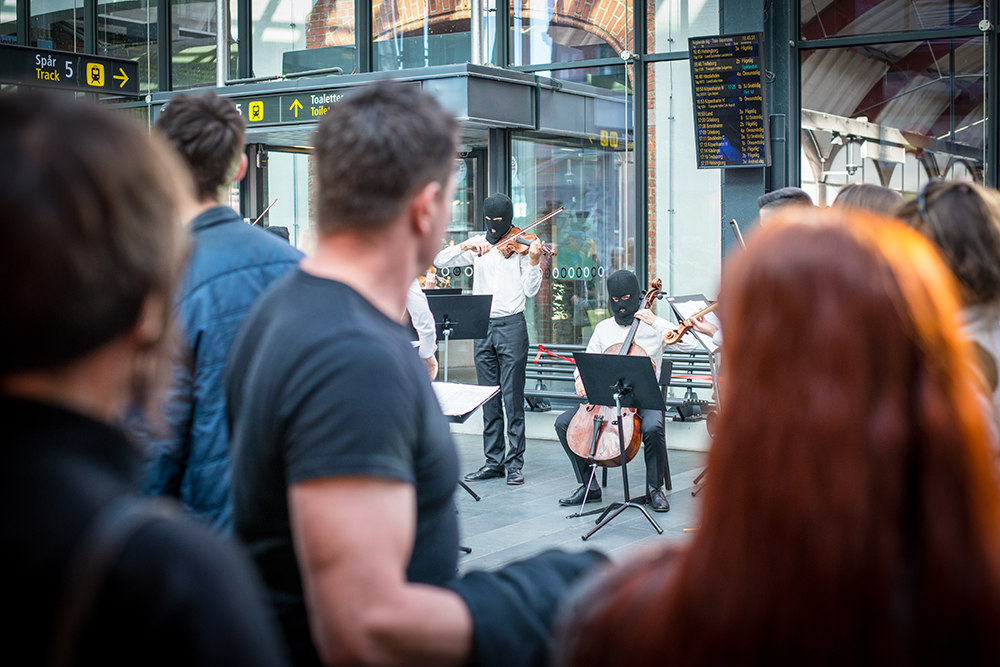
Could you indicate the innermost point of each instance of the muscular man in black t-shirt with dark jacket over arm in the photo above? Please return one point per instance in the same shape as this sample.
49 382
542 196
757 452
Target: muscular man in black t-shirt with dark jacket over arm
344 469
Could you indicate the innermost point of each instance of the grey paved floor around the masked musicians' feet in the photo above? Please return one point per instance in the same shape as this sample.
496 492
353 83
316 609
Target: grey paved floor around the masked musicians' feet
514 522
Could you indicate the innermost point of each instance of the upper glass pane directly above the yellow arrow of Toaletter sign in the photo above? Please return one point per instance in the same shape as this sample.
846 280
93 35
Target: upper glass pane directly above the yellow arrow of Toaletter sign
302 35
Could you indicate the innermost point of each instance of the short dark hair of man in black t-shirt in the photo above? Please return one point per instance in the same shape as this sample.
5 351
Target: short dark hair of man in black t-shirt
376 148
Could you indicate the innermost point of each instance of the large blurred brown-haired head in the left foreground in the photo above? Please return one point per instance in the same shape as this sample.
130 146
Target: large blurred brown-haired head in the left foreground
91 228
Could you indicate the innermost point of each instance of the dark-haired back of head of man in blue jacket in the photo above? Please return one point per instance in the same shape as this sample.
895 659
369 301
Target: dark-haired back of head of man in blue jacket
207 131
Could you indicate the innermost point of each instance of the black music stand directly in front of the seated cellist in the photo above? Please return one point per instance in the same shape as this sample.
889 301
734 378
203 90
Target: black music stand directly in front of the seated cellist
623 382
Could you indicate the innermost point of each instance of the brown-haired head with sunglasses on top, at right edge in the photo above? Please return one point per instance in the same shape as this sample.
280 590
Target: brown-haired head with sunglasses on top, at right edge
963 219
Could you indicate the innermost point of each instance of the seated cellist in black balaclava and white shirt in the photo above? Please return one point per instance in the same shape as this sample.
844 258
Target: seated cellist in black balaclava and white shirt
623 303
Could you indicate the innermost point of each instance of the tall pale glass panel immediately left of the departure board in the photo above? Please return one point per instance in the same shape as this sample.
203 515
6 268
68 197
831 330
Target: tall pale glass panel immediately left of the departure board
683 202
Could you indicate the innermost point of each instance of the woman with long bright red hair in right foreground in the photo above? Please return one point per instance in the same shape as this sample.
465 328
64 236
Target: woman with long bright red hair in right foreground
853 513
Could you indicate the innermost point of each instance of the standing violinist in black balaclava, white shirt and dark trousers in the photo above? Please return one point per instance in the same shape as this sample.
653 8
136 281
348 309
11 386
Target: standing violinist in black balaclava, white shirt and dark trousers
501 357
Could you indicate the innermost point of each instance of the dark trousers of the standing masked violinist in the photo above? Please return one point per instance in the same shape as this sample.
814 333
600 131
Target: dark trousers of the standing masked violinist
501 358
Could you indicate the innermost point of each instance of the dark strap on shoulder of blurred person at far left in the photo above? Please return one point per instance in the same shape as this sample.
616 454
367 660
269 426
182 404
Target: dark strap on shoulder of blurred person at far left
93 557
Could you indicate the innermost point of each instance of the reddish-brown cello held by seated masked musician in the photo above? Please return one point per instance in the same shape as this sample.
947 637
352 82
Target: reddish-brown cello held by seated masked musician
593 431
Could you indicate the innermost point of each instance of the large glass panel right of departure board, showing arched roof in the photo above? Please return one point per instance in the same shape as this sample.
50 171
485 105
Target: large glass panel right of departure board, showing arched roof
865 108
